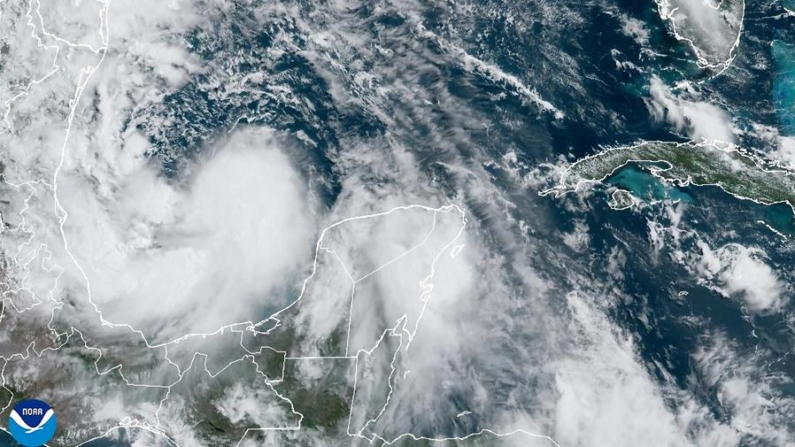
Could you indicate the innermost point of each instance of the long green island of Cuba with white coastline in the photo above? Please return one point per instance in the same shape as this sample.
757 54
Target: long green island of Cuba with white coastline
700 164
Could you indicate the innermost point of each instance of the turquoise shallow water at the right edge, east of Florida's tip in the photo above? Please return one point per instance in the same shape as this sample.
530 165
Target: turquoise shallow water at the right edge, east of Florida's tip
784 84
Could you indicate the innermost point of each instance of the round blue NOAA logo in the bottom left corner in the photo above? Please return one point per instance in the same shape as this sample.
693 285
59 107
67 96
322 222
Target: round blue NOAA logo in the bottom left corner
32 423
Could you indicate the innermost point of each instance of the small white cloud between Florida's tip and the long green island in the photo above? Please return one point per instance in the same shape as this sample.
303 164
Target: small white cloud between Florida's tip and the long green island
698 120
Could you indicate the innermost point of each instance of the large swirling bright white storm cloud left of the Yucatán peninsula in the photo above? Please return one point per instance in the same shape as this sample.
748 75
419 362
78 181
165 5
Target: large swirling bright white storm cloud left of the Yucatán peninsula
192 257
